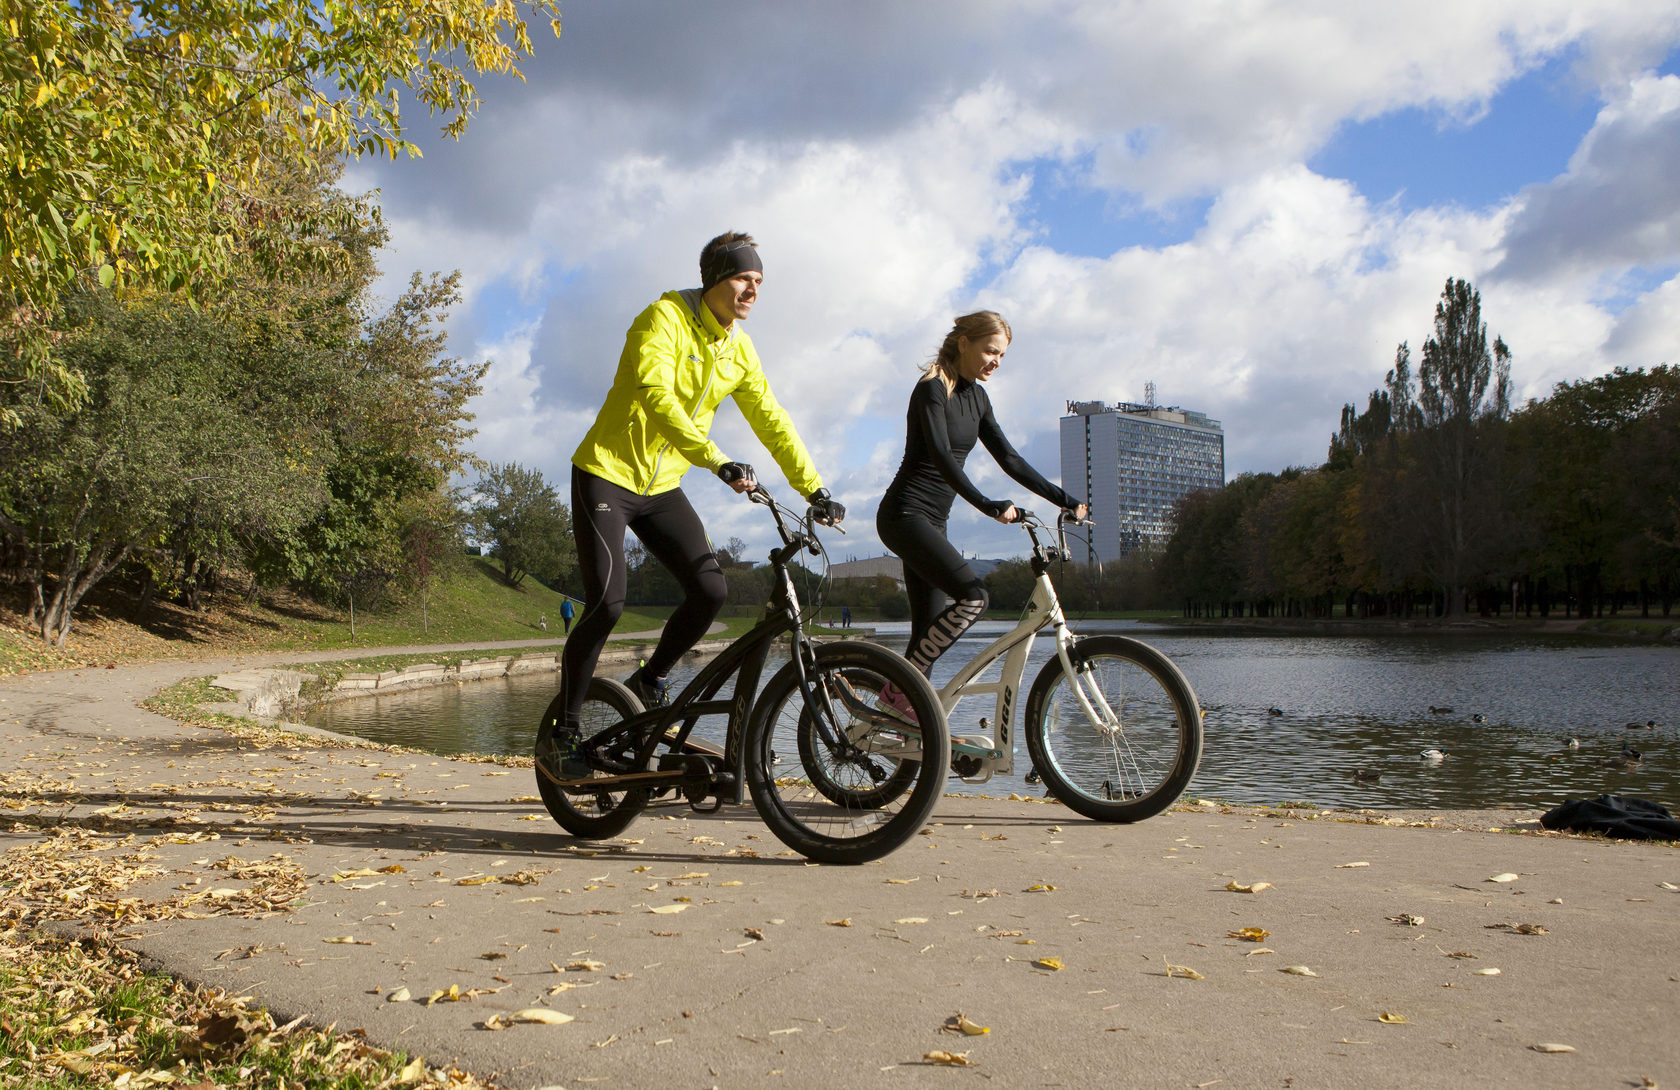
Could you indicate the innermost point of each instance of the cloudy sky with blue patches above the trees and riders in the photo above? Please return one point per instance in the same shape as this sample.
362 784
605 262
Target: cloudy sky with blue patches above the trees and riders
1249 204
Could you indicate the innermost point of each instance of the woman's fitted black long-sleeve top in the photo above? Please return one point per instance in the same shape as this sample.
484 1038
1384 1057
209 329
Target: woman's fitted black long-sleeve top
940 434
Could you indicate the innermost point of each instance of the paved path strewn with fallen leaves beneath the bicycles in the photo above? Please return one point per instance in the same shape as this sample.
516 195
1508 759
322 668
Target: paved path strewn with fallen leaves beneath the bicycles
433 874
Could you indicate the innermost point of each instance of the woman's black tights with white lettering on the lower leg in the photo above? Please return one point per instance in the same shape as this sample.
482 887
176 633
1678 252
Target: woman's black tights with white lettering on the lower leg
933 570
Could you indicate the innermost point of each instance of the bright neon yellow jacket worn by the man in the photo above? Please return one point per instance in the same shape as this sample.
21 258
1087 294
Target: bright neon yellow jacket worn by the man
678 365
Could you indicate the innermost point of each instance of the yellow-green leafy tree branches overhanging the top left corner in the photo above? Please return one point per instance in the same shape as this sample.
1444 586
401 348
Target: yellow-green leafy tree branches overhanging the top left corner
135 135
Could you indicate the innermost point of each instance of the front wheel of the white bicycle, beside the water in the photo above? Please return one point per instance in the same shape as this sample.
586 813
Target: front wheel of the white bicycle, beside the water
1131 747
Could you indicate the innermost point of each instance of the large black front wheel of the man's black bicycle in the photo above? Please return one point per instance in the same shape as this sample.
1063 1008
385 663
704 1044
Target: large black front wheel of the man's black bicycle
868 778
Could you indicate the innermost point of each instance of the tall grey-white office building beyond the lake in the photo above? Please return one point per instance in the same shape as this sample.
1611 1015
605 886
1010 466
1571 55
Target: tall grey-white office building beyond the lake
1135 461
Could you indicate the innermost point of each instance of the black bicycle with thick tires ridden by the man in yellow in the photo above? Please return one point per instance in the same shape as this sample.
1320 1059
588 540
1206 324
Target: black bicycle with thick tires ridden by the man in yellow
821 711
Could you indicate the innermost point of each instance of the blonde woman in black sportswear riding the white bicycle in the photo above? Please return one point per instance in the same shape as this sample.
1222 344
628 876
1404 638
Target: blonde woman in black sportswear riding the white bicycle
948 414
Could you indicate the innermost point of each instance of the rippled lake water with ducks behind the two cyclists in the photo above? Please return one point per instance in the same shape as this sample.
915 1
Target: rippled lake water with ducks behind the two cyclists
1348 705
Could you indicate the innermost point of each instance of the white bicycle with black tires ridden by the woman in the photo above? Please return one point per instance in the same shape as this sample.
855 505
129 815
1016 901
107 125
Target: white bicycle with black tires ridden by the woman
1113 726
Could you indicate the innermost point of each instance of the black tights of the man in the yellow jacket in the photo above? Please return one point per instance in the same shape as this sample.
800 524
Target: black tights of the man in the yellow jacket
673 533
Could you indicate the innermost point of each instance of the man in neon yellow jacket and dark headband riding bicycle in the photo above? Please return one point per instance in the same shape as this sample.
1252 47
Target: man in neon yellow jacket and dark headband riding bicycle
683 357
